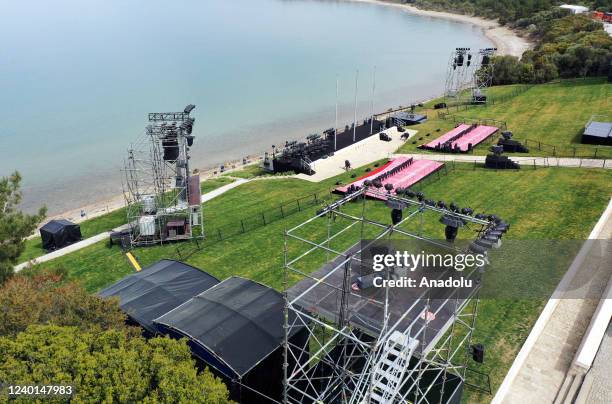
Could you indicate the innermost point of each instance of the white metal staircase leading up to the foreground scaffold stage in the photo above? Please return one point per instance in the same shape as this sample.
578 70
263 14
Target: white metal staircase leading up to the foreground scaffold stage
391 368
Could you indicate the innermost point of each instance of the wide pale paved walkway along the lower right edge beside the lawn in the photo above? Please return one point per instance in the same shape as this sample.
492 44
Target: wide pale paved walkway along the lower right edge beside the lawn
539 371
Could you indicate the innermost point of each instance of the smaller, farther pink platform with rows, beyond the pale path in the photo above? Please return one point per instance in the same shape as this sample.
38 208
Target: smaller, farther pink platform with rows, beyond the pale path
460 138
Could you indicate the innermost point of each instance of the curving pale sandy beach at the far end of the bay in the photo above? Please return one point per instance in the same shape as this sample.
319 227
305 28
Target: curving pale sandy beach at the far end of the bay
506 41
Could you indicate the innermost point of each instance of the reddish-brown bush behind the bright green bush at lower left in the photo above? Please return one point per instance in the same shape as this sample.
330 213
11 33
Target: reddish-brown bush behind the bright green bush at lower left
45 299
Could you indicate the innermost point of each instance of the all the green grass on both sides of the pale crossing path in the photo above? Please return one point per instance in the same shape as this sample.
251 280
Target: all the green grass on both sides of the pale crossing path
540 204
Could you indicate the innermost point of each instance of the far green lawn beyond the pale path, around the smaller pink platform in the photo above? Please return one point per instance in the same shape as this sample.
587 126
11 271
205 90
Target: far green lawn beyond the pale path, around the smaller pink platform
553 114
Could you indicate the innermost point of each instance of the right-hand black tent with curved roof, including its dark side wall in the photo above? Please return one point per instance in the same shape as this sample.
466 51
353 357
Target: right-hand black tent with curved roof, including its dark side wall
236 327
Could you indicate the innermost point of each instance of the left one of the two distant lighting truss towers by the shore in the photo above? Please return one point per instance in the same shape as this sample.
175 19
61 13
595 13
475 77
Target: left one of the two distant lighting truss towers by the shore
459 77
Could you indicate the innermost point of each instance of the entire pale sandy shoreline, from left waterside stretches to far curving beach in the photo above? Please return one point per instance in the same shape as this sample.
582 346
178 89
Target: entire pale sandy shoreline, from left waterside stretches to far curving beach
506 41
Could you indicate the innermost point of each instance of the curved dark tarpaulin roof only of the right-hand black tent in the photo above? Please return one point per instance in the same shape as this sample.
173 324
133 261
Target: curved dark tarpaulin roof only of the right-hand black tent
239 321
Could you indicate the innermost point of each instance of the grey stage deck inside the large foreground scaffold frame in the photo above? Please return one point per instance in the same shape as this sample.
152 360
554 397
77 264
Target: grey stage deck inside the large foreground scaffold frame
365 308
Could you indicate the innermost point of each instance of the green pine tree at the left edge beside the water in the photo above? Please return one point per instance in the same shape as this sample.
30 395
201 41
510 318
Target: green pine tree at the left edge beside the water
15 225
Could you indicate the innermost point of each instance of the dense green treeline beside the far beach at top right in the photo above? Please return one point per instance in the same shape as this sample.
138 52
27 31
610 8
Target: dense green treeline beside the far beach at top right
566 45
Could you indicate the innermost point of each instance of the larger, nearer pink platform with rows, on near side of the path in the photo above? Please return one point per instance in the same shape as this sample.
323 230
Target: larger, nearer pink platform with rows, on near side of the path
400 172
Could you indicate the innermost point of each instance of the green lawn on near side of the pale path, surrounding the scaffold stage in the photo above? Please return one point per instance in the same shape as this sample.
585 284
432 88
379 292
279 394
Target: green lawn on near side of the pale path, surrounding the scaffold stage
549 203
